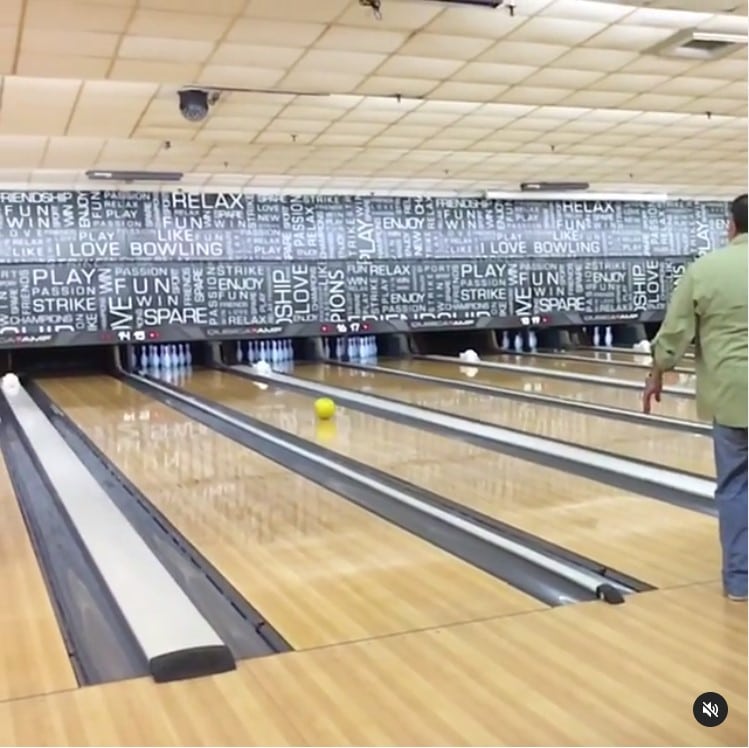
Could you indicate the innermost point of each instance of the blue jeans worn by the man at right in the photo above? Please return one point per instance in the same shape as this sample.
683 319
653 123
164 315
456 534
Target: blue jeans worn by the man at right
729 445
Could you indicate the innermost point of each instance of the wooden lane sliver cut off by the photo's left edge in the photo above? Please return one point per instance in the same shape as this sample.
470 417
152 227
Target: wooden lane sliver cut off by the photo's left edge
32 651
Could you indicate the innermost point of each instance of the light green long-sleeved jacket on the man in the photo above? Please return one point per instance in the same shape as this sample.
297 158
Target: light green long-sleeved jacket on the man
709 306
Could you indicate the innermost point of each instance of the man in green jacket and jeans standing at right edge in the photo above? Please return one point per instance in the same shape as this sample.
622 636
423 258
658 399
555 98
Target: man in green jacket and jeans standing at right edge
709 305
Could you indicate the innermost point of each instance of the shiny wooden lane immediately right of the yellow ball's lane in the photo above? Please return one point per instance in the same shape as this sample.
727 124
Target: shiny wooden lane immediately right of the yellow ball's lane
689 452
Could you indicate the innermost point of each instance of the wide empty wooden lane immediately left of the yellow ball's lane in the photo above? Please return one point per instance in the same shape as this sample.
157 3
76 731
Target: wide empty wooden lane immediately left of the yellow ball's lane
320 569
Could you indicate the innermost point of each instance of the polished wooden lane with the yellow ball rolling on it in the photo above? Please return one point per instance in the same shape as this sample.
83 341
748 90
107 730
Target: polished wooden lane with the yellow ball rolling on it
659 543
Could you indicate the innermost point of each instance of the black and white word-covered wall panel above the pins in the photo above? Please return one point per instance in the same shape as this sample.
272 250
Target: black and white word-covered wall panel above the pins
103 266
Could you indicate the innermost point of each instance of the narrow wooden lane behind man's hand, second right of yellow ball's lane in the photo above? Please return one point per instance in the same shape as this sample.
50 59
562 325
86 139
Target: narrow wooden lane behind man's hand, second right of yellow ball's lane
674 406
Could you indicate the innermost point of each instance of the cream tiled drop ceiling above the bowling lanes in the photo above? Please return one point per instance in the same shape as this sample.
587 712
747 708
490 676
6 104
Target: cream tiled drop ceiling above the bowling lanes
432 98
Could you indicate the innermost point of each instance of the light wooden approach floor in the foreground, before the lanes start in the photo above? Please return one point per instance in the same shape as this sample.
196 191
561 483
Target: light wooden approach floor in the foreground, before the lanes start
590 675
